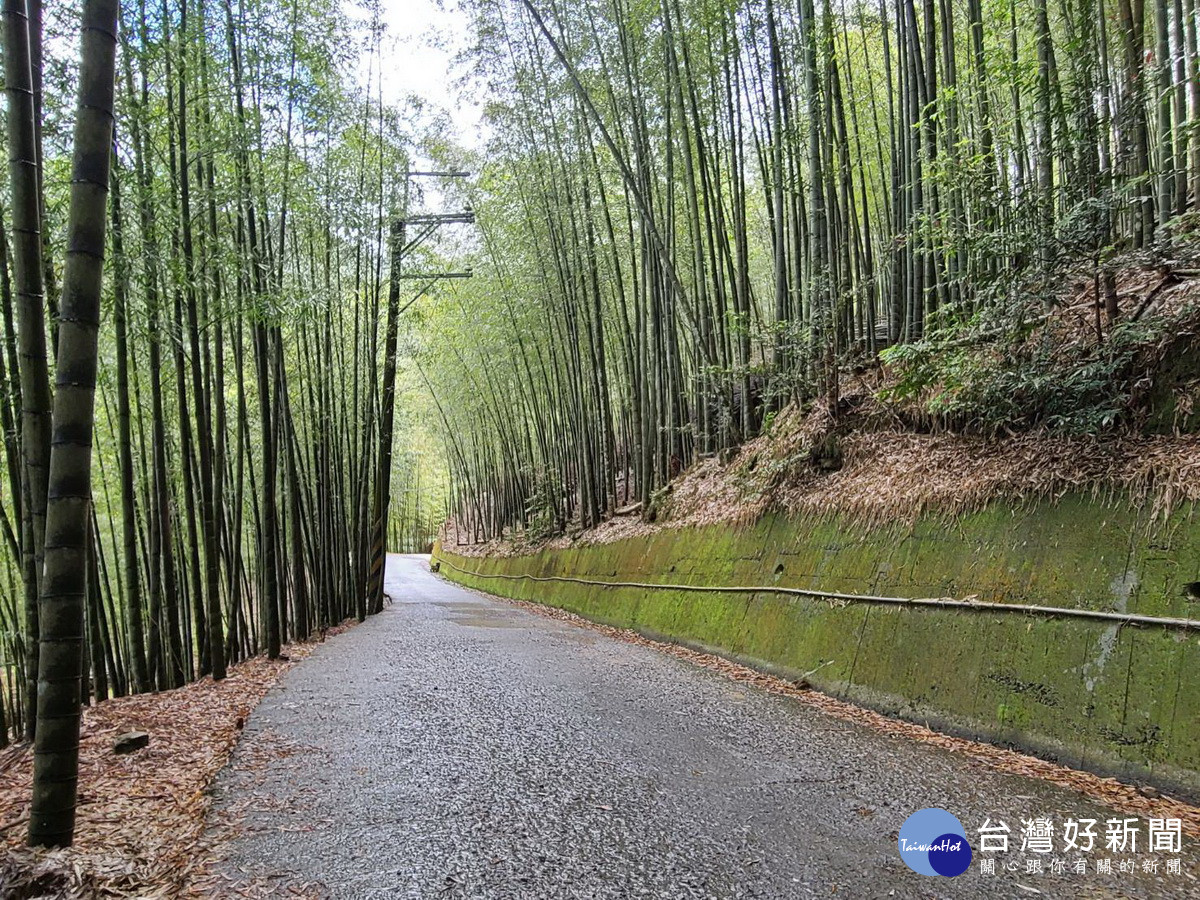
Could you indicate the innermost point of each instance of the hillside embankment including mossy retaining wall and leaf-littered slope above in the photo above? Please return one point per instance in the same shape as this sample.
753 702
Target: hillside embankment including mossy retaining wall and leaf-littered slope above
902 494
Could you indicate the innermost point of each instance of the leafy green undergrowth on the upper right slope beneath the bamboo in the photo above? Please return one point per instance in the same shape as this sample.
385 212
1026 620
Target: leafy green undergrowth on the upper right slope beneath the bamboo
1066 371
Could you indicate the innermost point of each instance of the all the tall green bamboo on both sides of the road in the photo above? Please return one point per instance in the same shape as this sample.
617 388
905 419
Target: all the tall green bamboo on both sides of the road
221 401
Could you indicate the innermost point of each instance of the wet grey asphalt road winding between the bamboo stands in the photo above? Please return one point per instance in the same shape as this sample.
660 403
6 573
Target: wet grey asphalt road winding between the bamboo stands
459 747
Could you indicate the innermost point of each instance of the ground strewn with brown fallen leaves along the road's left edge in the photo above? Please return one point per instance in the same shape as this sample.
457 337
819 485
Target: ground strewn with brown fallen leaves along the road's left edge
141 827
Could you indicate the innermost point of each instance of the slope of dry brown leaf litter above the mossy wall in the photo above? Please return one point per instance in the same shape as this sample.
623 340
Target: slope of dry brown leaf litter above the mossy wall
898 460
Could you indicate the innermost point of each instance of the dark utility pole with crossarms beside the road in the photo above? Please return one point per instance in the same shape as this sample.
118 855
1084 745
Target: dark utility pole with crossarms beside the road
425 225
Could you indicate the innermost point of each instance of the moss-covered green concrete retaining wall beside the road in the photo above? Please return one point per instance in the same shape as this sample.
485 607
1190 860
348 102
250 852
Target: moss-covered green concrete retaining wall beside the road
1113 699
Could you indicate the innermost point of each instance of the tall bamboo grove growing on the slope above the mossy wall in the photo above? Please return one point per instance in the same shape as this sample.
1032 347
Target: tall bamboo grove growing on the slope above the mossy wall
697 212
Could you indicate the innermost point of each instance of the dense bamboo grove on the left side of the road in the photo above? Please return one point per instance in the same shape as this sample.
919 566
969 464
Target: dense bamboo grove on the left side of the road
200 321
